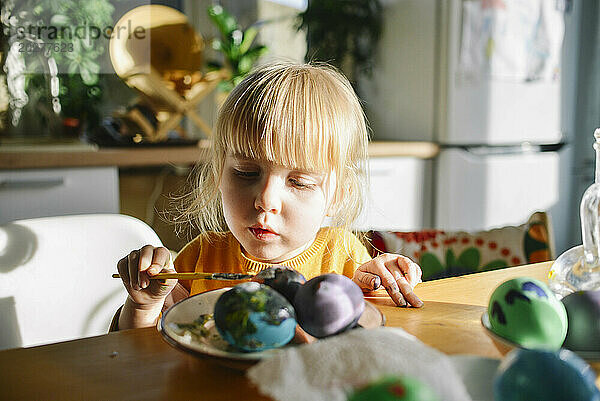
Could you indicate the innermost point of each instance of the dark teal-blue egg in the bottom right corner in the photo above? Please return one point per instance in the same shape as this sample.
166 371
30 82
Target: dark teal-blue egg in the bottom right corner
528 374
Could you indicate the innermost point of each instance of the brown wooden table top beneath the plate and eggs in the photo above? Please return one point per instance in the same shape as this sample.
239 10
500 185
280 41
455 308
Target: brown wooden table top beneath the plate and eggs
138 364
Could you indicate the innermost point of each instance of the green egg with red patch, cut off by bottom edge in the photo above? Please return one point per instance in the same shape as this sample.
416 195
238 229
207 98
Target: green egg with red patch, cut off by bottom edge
395 389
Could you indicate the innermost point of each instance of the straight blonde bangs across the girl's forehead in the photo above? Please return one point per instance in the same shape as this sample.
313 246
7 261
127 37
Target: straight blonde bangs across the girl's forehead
293 118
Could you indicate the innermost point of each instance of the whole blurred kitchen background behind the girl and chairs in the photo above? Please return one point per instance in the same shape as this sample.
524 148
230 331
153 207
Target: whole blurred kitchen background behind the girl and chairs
482 111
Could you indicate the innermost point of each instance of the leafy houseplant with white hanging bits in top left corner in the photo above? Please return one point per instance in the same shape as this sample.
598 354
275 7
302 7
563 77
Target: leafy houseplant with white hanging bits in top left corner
53 50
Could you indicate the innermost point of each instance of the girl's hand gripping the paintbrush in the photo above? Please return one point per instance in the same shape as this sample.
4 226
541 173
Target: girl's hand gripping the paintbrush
136 269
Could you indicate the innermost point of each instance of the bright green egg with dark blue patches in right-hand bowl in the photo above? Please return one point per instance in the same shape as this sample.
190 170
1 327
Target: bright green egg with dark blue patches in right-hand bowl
525 311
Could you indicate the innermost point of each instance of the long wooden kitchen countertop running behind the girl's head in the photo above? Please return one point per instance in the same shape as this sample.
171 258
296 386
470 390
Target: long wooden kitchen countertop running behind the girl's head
81 155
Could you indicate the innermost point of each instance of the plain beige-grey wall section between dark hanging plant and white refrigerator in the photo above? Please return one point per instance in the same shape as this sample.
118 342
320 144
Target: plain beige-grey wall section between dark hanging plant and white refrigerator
400 99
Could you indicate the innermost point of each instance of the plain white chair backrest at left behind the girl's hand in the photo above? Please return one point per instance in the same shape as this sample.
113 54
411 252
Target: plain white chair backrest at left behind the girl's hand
55 275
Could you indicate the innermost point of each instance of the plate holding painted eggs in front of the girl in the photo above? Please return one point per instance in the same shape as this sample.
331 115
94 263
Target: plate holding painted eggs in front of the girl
253 320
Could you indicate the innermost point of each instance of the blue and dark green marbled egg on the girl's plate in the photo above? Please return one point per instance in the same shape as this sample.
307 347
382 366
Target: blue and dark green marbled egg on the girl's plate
254 317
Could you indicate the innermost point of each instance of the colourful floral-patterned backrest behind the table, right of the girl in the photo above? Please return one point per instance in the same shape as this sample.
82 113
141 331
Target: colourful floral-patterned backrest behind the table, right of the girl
445 254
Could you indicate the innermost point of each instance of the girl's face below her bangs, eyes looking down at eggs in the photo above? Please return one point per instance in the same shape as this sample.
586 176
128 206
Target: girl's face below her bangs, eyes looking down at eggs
274 212
